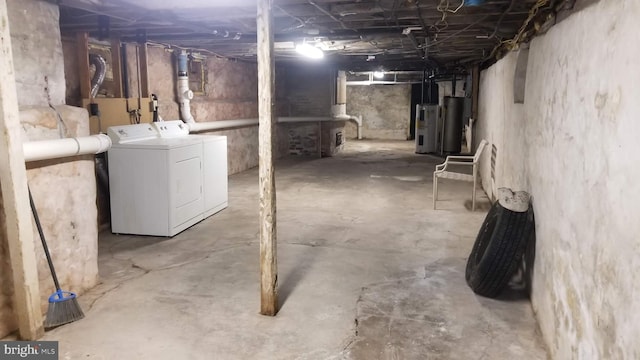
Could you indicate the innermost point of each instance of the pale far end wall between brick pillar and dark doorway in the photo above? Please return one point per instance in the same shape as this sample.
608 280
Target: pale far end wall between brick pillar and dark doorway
385 110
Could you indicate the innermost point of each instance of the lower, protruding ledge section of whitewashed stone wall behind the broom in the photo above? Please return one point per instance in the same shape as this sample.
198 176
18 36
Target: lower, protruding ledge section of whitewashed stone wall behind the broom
64 192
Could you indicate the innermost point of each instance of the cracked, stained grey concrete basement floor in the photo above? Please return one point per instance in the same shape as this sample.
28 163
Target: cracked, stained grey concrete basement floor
367 270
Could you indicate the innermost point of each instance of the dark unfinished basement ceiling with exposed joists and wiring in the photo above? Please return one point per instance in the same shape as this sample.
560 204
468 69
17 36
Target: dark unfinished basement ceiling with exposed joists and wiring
358 34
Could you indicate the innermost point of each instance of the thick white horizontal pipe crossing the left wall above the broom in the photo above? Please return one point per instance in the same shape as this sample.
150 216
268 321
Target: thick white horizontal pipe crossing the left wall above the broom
59 148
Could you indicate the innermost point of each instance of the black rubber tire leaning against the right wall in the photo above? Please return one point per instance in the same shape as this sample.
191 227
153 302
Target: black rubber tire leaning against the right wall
498 250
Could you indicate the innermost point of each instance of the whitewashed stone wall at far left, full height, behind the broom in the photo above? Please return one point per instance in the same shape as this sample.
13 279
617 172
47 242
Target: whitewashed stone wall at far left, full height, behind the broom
64 190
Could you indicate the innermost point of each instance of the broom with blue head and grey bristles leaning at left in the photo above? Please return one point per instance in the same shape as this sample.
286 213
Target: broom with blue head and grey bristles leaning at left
63 305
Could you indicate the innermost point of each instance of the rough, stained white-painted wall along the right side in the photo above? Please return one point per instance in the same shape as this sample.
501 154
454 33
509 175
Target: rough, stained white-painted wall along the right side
575 143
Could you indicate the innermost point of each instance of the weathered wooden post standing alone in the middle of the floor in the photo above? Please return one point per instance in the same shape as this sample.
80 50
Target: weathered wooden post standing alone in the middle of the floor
266 99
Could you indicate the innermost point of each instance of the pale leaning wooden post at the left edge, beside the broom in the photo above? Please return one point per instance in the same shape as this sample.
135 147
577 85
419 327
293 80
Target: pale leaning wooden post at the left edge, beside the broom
13 181
